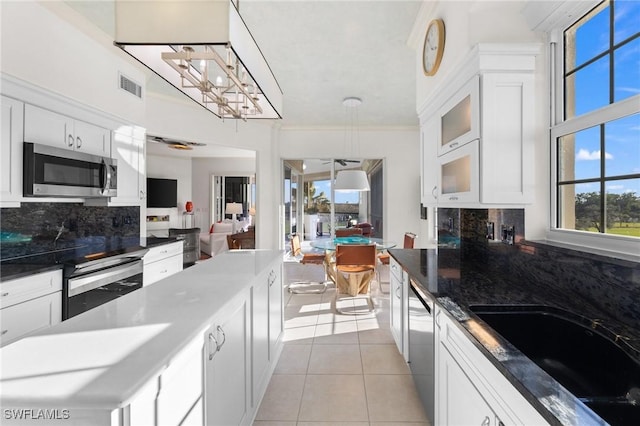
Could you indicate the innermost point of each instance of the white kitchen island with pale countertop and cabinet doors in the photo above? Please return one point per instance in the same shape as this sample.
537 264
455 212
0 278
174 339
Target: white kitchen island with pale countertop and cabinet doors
159 354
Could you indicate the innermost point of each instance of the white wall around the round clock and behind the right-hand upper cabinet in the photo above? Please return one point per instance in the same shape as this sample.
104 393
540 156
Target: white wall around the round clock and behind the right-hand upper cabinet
468 23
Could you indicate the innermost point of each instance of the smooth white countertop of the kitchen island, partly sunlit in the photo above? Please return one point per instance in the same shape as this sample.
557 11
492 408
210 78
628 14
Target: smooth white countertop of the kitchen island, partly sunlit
101 358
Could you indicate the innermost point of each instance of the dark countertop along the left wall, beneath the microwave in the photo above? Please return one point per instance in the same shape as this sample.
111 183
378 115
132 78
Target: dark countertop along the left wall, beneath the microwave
34 259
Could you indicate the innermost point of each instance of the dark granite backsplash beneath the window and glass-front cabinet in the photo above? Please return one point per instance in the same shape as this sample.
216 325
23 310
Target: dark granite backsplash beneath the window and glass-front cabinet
594 283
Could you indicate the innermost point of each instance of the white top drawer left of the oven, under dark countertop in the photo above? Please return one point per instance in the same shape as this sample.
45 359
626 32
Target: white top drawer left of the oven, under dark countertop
22 289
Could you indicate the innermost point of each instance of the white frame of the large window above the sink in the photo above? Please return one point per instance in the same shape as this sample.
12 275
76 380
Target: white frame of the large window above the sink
601 243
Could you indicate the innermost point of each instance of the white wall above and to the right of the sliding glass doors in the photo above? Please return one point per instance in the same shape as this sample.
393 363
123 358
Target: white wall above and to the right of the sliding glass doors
400 150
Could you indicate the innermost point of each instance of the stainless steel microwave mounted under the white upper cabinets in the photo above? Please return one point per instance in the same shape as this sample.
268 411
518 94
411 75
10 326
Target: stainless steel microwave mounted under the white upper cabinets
54 172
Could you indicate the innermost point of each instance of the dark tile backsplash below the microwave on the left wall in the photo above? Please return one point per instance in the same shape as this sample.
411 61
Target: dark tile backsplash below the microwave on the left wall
33 227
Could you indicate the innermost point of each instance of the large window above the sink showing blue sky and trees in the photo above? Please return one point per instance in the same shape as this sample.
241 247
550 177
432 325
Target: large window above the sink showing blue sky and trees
596 141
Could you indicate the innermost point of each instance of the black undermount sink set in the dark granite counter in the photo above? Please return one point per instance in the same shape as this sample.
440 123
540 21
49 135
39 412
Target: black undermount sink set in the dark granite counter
591 366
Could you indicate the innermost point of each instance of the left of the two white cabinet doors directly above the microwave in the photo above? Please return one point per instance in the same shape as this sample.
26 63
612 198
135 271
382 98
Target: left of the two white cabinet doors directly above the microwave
48 128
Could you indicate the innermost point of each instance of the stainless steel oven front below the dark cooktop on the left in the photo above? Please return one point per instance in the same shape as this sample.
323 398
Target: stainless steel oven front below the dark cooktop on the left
89 285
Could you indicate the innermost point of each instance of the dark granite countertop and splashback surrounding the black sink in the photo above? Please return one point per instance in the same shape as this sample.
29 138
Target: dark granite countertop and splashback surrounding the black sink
457 284
